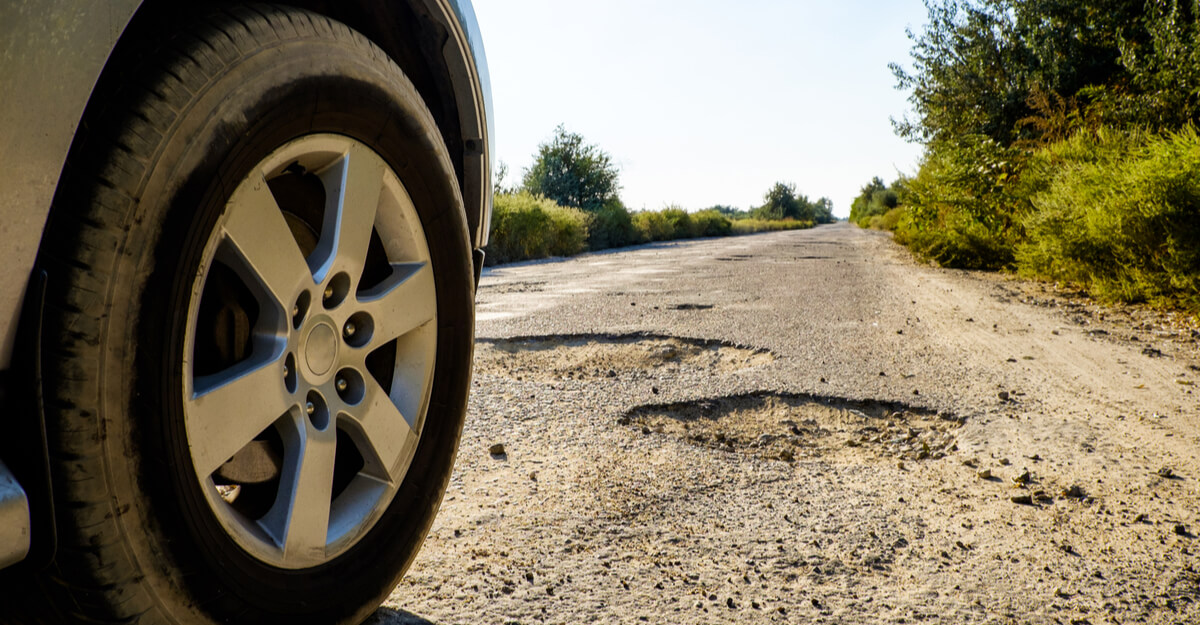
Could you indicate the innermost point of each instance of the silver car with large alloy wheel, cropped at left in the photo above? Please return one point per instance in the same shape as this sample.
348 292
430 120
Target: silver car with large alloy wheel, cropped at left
237 323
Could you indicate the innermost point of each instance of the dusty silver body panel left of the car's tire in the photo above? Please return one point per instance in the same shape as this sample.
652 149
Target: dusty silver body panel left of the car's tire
53 52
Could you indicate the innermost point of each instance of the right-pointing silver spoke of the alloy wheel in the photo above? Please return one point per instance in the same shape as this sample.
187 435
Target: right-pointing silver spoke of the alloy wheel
404 303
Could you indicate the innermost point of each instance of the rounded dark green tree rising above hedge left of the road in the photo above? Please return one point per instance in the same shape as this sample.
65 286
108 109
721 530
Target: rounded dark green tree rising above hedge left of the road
573 173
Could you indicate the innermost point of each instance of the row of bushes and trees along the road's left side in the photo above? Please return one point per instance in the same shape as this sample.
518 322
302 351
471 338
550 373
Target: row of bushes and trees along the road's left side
568 203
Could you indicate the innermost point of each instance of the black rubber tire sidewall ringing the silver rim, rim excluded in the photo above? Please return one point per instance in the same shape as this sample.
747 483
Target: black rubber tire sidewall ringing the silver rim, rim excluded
260 104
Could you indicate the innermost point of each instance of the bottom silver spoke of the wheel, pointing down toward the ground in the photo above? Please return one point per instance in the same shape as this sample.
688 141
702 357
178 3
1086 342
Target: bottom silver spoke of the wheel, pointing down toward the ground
307 491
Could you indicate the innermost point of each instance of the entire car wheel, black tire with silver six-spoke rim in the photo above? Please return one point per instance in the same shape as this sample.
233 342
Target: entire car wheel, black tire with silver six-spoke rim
259 329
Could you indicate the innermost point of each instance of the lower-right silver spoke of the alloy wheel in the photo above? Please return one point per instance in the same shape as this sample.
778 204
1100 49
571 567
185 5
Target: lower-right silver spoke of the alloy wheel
382 434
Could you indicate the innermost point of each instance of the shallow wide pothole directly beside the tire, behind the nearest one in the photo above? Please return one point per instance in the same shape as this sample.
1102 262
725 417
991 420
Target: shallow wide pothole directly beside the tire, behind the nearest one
587 357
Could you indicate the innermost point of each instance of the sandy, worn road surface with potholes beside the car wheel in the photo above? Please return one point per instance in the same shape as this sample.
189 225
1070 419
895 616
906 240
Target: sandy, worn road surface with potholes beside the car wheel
812 428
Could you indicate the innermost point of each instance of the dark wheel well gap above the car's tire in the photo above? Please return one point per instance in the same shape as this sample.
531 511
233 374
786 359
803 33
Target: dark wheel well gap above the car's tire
404 29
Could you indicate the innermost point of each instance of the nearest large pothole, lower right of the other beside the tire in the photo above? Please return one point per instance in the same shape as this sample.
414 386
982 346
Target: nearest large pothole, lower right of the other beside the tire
795 428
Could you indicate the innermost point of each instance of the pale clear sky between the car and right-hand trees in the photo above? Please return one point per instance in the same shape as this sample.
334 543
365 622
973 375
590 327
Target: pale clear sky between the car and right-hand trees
705 103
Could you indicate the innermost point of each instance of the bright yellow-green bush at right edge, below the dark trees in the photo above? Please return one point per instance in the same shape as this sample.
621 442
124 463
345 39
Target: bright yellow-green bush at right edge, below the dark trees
1121 217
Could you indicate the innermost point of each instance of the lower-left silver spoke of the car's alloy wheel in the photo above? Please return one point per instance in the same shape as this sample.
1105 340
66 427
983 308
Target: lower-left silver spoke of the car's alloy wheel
229 410
